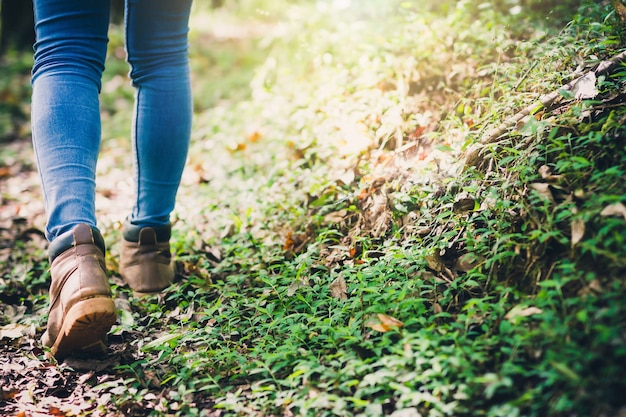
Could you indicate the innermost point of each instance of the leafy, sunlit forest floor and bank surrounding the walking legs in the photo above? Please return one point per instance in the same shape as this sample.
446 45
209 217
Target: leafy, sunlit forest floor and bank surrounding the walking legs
352 236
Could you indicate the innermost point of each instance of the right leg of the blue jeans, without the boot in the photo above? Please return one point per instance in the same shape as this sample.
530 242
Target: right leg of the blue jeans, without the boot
157 45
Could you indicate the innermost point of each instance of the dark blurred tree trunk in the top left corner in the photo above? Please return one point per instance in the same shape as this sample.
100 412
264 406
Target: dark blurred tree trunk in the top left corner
16 25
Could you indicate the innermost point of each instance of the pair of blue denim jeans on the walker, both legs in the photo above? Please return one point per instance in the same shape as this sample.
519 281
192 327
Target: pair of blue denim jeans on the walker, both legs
70 54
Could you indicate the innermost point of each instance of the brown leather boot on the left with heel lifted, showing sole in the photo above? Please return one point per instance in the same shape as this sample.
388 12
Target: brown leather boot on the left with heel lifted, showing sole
81 308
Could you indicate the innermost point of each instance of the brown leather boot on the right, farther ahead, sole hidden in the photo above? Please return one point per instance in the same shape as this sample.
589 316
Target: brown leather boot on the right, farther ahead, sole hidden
145 260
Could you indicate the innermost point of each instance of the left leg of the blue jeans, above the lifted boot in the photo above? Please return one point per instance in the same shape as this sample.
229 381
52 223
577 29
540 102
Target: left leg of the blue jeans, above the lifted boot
70 51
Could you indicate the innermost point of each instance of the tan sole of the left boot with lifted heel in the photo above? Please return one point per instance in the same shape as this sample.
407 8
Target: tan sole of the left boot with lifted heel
84 327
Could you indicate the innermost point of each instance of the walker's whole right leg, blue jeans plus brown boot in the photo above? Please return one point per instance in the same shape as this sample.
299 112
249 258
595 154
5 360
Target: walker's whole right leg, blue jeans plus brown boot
156 41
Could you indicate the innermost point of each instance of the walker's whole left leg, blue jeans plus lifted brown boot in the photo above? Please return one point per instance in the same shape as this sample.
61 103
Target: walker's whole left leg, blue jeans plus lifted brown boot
70 49
